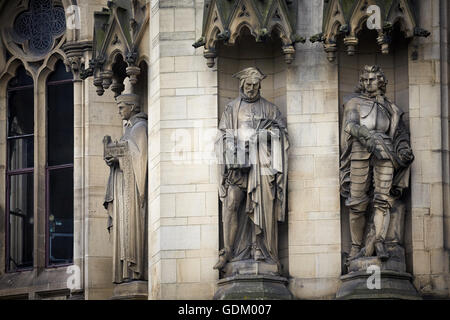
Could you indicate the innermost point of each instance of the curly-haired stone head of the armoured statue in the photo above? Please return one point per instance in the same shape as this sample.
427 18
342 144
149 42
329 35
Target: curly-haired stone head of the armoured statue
372 81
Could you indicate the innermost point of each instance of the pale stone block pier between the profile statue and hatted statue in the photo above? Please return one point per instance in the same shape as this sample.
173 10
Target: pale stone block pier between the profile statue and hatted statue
183 203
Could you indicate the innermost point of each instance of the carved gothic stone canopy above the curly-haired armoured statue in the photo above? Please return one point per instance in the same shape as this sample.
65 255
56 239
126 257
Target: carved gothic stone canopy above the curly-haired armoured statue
347 18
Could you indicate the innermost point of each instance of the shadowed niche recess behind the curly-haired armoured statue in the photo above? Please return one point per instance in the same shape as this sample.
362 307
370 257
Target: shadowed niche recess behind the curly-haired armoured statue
395 66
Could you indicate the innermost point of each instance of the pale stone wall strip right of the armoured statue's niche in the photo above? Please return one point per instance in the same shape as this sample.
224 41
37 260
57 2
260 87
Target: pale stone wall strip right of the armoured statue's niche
429 138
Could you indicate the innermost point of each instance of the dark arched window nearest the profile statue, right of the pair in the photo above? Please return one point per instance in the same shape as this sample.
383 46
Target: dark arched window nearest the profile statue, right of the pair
59 167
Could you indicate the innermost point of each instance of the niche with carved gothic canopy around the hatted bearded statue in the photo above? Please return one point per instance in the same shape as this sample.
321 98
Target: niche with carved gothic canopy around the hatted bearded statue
236 37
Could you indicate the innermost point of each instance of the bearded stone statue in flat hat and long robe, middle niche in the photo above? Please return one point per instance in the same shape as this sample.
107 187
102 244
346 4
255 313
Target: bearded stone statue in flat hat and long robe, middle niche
252 148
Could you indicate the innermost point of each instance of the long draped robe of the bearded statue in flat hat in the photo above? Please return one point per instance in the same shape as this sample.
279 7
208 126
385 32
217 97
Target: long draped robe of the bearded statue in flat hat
265 182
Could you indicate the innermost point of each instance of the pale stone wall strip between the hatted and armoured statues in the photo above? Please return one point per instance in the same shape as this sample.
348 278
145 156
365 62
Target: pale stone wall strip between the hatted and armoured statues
314 200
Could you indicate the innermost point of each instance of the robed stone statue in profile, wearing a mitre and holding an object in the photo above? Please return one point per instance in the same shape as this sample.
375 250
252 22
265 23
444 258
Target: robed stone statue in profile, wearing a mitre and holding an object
126 192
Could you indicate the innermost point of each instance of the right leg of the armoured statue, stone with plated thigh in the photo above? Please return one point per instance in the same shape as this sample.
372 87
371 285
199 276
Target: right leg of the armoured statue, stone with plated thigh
383 176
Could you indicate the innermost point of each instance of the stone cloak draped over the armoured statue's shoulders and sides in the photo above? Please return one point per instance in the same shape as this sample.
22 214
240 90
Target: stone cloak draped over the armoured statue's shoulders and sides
397 132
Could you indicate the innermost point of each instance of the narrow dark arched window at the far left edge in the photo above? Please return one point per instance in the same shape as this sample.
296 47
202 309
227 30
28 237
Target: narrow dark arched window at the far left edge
19 172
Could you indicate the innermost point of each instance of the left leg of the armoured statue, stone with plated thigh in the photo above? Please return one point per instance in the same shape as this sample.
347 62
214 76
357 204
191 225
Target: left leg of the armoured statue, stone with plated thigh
360 183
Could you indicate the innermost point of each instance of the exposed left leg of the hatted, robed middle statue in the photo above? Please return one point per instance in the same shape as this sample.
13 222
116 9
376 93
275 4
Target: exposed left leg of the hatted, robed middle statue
231 206
